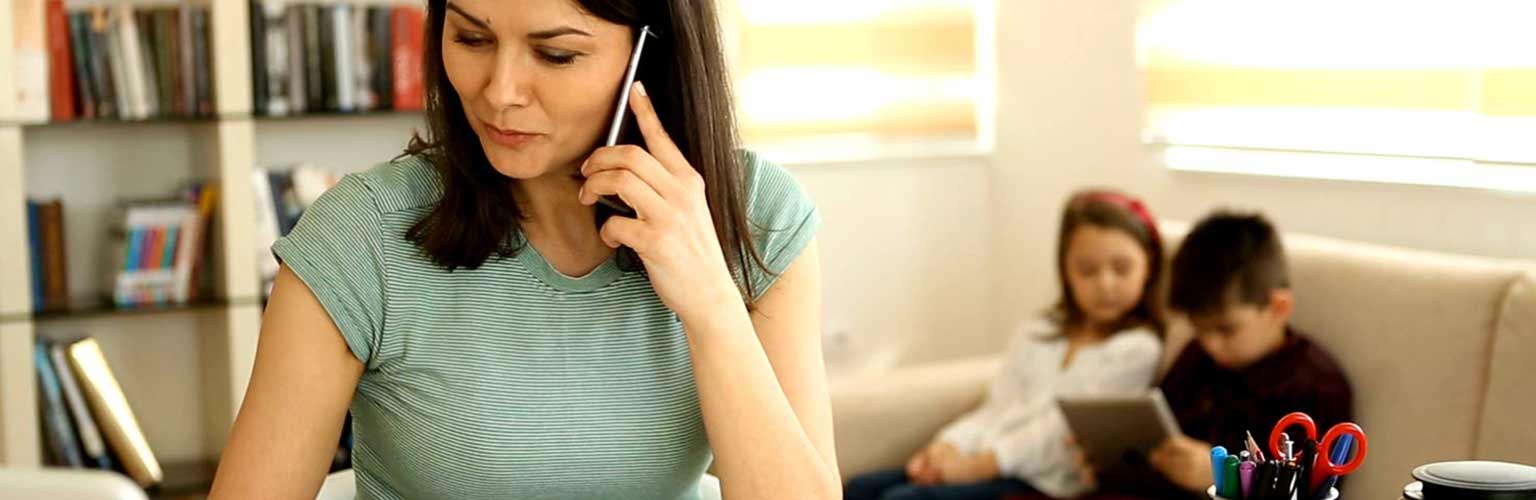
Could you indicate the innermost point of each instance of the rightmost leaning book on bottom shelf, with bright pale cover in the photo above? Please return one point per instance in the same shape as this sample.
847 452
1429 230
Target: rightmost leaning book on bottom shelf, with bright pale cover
113 413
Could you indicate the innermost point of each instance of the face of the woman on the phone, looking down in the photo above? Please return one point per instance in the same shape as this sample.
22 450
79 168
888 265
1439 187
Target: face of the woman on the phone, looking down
537 79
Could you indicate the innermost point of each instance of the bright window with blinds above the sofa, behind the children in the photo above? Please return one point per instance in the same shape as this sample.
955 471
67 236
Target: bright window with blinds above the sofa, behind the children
1359 88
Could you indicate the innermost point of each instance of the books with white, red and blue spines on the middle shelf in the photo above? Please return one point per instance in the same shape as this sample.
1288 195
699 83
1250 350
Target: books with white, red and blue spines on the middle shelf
162 258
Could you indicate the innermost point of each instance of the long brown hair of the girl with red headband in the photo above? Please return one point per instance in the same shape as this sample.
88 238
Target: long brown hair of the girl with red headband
1114 211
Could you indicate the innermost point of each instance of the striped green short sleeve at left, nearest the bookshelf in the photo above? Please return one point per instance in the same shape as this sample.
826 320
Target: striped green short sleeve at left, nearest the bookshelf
337 251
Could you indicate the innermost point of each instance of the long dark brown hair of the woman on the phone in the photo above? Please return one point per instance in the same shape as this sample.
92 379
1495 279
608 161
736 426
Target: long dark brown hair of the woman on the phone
686 77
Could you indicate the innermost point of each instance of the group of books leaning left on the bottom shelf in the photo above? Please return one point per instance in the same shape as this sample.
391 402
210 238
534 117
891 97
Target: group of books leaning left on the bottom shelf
87 419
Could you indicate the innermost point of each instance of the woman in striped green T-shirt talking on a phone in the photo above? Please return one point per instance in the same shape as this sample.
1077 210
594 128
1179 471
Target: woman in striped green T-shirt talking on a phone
483 327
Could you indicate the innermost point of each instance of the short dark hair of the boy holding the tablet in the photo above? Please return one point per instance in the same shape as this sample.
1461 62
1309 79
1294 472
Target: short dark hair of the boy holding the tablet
1228 258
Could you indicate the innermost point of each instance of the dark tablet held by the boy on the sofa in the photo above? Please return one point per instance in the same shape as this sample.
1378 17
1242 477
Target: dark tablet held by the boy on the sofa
1119 432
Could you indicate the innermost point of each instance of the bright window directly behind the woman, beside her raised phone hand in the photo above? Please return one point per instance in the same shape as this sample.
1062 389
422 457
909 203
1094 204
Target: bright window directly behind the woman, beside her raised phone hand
862 71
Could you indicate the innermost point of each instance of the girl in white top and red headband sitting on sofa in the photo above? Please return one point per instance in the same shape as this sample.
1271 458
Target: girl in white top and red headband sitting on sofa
1104 337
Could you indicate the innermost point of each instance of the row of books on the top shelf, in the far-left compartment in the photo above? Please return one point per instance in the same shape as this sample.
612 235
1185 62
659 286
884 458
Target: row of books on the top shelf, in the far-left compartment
121 62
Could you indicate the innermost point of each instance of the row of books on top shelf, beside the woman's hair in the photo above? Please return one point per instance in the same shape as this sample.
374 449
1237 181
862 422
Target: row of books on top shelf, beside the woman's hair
336 58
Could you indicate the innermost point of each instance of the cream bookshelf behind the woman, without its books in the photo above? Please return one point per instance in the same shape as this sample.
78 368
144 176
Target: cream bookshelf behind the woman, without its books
184 370
